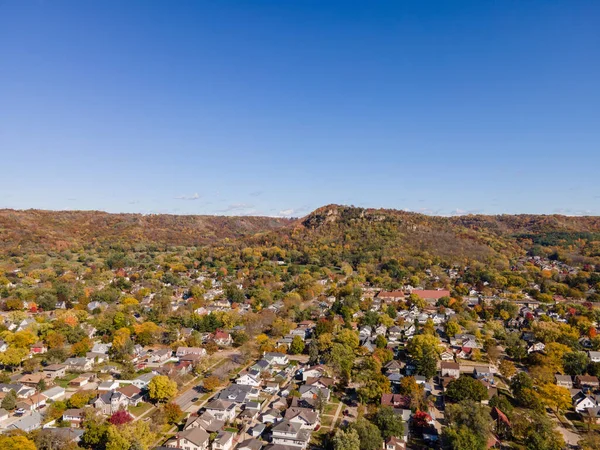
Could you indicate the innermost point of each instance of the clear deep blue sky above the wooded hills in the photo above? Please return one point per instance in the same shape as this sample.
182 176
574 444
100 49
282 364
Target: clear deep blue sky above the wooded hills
279 107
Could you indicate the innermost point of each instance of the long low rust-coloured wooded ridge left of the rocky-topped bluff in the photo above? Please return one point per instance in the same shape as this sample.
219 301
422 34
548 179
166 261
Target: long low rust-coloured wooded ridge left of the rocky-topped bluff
58 230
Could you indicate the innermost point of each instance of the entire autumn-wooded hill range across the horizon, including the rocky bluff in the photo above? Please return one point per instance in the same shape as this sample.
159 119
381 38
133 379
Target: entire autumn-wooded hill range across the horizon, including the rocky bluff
328 235
